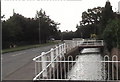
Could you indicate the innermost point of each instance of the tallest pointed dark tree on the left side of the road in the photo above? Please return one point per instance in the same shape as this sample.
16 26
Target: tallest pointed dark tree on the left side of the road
47 27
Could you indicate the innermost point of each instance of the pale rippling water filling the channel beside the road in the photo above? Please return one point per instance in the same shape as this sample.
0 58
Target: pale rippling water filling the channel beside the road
88 66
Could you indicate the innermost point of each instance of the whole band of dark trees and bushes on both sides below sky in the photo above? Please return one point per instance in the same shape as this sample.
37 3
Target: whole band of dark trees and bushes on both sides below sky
96 23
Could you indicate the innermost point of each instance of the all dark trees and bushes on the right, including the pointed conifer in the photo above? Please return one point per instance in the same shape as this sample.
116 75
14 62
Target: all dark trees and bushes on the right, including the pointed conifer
99 23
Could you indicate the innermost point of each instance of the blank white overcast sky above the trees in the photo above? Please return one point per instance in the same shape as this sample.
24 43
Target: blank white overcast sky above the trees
66 12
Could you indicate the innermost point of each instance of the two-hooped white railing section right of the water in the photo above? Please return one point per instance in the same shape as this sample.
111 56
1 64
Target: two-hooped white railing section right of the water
111 67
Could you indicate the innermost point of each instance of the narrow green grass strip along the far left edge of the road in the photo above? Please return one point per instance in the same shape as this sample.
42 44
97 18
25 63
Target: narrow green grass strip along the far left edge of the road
27 47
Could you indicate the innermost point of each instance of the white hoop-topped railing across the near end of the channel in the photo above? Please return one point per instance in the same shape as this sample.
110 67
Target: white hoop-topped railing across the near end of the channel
59 69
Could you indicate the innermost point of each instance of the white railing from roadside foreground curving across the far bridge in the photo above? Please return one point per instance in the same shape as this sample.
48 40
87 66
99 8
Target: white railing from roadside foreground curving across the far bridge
47 61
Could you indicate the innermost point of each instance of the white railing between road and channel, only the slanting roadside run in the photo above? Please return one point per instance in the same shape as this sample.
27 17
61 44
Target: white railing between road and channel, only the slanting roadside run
47 59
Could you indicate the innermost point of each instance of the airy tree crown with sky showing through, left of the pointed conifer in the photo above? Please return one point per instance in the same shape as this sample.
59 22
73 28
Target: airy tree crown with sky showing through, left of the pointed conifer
91 16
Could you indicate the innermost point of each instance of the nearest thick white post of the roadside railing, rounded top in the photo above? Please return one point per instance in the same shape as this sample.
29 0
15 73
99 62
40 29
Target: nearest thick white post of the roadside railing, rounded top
44 64
